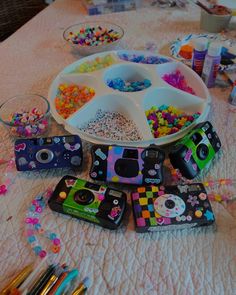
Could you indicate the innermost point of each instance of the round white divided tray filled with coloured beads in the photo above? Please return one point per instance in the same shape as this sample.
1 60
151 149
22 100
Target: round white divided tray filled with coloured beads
131 98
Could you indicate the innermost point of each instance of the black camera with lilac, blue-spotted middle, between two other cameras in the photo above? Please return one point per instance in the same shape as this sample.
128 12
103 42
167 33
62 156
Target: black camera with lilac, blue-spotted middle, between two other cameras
127 164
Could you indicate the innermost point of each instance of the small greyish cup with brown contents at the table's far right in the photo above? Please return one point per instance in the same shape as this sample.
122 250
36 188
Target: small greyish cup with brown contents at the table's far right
214 23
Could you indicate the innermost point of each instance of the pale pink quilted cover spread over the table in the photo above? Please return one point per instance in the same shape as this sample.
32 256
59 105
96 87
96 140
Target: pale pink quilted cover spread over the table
199 261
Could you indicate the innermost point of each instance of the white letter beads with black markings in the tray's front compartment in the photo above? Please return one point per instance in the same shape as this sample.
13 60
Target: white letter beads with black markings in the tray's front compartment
112 125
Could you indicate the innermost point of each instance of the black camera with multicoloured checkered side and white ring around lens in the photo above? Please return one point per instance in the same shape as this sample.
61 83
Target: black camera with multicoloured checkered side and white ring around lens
171 207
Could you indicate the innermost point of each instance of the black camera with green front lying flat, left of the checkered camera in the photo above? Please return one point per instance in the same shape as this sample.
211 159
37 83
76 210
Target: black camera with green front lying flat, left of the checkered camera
89 201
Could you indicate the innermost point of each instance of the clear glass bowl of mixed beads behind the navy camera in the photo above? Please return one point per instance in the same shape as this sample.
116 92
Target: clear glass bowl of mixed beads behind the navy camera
26 115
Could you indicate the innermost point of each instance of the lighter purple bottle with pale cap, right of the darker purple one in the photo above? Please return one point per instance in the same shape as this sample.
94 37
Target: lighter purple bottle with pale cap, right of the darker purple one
211 64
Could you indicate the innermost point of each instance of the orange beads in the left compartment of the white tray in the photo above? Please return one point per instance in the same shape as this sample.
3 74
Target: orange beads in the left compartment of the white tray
72 97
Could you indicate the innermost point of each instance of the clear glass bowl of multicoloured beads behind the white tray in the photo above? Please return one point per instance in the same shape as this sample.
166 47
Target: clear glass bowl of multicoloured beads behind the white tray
93 37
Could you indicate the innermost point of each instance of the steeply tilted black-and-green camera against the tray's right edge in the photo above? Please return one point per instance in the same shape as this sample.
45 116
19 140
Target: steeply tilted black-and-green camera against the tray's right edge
193 152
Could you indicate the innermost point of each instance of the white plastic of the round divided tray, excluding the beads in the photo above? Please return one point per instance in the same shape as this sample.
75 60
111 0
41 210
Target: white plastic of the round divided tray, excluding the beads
131 104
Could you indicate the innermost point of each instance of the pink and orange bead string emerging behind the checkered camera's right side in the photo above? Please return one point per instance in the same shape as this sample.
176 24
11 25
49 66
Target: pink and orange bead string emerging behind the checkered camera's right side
177 177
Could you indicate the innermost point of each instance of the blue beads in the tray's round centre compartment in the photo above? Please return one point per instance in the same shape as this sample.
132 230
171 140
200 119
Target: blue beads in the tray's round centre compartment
126 86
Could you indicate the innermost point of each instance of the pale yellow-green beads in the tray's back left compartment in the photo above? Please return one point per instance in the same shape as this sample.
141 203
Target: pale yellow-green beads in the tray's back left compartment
95 64
